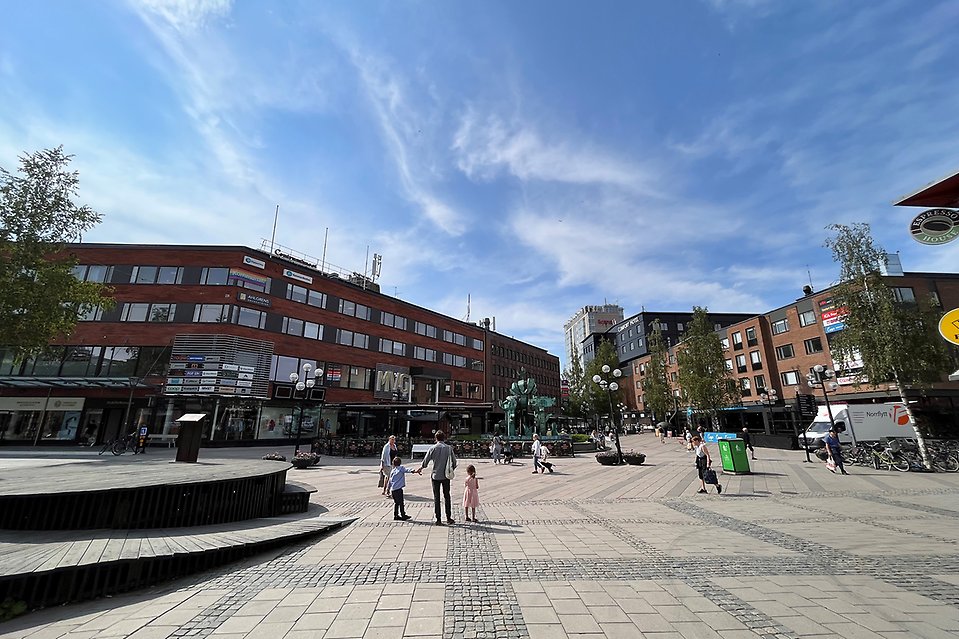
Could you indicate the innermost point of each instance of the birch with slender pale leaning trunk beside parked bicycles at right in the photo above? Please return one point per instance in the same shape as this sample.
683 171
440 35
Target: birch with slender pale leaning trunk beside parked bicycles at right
896 341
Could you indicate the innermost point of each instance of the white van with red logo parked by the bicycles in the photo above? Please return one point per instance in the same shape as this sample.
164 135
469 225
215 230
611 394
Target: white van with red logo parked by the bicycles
869 422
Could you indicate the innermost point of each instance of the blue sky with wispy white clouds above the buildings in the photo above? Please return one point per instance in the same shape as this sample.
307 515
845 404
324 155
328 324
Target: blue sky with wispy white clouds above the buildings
536 156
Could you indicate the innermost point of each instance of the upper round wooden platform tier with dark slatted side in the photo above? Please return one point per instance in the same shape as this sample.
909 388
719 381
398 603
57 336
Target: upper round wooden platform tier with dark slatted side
138 493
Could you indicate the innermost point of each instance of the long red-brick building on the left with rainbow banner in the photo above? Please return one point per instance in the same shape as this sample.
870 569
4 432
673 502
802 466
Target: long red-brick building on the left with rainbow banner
219 330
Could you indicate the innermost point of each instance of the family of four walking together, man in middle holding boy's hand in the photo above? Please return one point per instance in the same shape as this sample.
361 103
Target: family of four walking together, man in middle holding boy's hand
441 456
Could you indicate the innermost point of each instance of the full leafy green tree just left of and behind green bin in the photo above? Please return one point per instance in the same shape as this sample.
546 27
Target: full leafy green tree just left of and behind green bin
702 368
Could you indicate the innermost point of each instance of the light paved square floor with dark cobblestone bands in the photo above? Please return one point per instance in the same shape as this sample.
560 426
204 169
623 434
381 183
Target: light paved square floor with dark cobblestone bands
590 551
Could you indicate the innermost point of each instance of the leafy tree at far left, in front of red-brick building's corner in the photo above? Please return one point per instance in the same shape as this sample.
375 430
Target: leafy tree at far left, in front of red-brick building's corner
40 299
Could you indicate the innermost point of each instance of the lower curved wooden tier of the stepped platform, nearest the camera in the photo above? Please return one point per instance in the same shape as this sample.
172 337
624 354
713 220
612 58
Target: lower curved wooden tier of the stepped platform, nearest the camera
50 568
